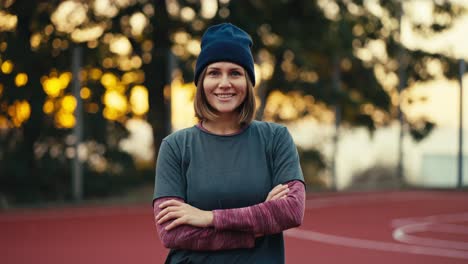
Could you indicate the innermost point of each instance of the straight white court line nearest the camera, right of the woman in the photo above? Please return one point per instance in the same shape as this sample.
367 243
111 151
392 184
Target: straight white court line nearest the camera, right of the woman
374 245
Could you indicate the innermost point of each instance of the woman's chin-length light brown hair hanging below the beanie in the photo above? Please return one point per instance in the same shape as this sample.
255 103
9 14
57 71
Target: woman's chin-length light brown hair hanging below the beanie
204 111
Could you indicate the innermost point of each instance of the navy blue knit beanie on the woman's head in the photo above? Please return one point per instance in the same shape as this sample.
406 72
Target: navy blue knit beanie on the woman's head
225 42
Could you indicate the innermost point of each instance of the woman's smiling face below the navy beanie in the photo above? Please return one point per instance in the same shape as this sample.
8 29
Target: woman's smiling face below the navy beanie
225 87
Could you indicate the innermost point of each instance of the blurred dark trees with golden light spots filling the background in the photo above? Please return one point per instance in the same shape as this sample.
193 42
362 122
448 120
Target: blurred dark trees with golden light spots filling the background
310 55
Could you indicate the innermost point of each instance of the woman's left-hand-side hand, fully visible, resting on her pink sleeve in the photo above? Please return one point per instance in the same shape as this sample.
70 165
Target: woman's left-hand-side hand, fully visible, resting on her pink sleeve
183 214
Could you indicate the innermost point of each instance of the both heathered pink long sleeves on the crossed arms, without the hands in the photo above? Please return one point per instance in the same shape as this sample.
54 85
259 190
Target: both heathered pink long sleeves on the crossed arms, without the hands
236 228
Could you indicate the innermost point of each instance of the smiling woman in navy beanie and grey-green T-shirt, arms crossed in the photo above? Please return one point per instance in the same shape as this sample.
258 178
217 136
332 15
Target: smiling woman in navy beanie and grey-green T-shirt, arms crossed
226 188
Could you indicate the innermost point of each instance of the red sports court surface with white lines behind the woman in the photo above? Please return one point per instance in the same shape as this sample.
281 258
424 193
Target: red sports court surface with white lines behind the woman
388 227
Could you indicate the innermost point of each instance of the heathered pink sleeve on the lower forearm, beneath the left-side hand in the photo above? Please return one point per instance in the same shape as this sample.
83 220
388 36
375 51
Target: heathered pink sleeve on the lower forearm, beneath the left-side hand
195 238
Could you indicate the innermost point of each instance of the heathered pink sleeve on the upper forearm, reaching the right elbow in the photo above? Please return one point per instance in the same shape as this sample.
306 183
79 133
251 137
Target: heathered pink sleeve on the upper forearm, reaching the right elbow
268 217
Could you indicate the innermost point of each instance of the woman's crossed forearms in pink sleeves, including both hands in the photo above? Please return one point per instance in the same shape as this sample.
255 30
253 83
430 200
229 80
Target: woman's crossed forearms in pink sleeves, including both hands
182 226
